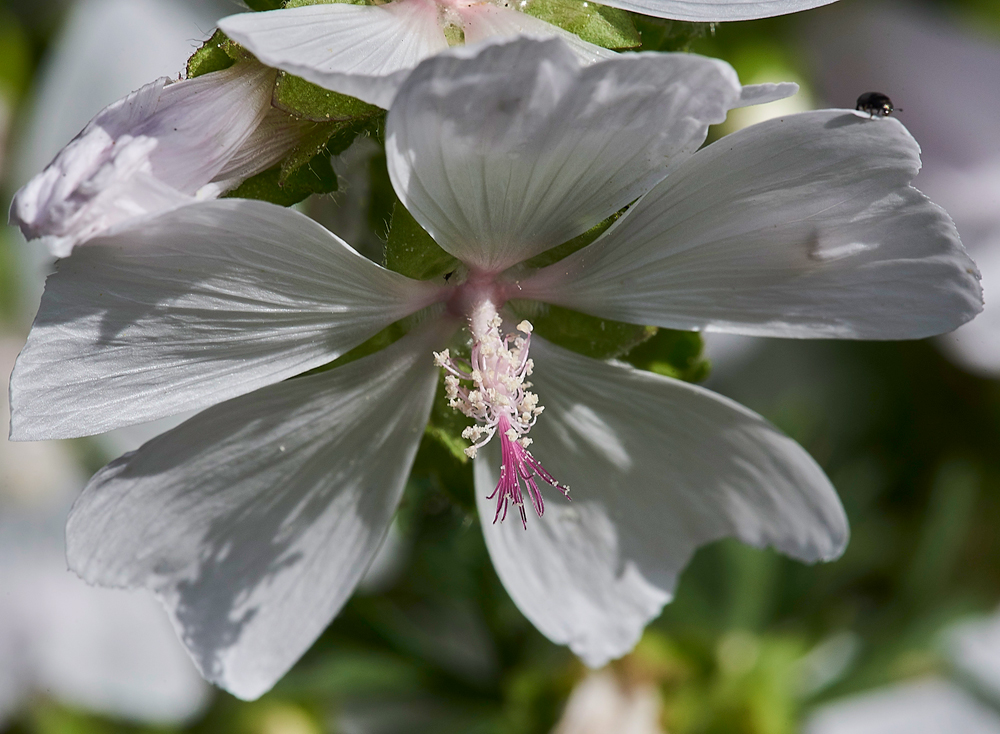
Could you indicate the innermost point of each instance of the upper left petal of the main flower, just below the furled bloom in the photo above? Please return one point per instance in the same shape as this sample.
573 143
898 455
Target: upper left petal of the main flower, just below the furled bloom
193 307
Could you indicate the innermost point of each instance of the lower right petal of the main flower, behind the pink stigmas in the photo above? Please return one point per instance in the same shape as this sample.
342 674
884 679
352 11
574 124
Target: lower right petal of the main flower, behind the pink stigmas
655 467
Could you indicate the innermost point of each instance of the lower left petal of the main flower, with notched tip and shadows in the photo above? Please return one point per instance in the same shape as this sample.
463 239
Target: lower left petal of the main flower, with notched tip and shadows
254 521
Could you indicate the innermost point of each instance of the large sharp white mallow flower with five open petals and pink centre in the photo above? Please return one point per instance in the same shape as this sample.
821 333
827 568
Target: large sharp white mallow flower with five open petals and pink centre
254 520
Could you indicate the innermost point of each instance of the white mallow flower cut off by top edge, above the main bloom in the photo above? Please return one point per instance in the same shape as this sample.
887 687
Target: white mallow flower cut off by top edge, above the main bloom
367 50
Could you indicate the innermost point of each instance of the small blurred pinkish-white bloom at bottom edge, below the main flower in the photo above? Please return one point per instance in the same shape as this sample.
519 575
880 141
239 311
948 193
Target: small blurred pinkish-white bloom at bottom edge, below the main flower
603 704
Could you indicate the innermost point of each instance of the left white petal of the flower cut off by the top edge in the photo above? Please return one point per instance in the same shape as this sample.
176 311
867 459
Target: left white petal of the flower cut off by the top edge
363 51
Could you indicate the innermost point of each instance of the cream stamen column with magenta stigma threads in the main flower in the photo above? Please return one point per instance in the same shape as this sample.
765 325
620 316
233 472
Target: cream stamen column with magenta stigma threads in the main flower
492 390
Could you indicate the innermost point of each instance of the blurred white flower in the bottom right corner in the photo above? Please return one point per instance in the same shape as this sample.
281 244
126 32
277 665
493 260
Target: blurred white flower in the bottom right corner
967 704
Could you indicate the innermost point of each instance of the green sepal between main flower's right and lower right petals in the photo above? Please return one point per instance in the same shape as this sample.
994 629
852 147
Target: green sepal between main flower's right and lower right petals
587 335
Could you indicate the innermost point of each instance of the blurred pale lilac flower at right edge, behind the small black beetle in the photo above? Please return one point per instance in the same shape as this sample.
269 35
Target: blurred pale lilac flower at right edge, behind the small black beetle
927 66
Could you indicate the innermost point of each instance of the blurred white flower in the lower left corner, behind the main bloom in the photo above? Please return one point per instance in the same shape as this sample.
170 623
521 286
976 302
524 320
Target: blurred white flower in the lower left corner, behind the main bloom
95 649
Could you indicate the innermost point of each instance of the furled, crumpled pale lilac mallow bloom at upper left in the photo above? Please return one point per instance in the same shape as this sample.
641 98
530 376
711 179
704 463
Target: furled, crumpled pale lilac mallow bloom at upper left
163 146
